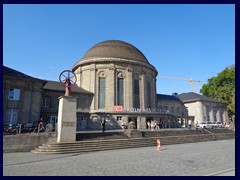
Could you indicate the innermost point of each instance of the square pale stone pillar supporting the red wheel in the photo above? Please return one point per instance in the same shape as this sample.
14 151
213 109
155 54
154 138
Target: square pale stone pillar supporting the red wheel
67 119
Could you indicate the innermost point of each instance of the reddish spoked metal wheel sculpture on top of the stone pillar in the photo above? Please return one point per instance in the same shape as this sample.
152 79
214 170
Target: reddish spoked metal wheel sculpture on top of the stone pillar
67 78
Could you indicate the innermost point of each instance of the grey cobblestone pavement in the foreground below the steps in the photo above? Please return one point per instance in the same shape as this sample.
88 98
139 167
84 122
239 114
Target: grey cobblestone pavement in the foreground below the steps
192 159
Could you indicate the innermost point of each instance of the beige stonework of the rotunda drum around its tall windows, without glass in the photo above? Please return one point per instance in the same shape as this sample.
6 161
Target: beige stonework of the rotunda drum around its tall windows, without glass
87 78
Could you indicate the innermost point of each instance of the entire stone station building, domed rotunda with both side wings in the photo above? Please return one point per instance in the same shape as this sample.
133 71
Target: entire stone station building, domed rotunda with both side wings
115 81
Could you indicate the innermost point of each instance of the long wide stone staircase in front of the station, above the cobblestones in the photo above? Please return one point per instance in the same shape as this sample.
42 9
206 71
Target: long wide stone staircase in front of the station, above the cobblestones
90 142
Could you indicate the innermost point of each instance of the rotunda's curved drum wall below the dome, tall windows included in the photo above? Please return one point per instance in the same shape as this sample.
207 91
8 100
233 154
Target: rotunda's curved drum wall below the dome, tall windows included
116 83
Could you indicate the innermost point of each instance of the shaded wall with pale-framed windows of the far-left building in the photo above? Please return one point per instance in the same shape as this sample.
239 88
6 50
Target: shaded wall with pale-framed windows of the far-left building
21 100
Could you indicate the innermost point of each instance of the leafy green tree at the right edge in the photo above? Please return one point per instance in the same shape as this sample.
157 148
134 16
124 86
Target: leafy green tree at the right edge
222 88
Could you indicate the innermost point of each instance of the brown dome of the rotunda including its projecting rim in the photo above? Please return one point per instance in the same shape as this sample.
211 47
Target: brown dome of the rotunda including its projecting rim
113 51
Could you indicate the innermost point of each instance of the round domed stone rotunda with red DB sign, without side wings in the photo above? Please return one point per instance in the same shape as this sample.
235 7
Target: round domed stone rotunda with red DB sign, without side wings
121 79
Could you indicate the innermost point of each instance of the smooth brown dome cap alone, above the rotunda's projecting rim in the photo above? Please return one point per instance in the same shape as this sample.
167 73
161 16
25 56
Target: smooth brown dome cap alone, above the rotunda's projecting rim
115 49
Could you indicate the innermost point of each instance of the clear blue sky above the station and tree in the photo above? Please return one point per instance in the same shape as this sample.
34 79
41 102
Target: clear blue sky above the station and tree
181 40
